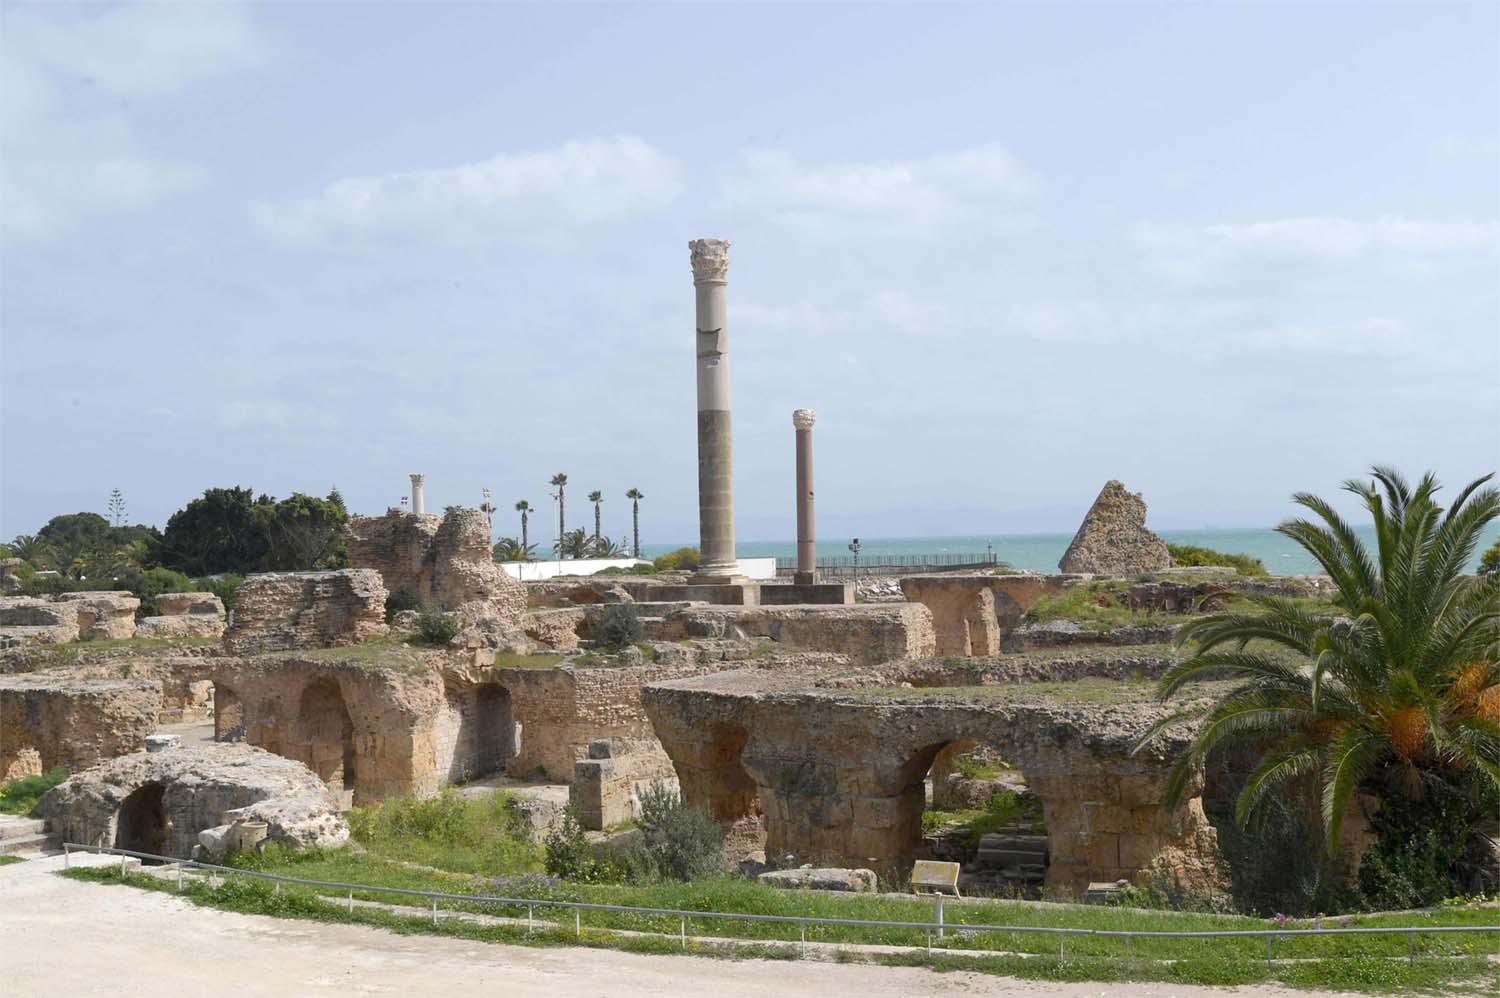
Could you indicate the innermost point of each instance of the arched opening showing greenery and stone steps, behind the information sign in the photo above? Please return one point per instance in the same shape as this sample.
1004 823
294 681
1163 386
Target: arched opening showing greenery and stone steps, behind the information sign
977 811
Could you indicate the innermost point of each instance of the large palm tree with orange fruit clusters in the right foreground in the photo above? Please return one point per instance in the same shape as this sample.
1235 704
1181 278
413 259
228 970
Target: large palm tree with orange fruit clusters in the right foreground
1399 687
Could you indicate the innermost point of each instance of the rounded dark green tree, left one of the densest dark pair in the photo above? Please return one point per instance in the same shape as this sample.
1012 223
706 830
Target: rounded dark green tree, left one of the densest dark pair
221 532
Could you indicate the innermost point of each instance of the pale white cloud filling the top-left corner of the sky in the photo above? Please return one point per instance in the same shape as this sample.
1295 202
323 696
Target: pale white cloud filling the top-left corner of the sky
71 152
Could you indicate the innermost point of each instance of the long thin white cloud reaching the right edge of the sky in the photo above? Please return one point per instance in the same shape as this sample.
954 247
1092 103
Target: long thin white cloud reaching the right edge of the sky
1201 254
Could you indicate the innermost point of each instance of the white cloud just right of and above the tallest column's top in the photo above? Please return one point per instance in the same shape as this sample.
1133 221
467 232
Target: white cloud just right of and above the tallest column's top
902 199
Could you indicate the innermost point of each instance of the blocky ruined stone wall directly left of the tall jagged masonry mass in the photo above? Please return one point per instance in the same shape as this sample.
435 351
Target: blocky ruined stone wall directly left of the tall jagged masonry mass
307 610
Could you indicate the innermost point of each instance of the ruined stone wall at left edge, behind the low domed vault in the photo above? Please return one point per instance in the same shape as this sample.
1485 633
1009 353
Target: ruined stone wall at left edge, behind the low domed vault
50 721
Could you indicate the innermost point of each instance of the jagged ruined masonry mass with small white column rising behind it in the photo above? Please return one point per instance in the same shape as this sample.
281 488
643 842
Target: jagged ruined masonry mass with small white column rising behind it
443 564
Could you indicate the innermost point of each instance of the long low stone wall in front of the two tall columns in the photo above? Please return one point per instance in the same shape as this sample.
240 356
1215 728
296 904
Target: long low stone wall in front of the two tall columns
866 634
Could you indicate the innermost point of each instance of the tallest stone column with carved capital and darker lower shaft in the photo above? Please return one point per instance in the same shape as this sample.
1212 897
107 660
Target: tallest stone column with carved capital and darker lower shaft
716 488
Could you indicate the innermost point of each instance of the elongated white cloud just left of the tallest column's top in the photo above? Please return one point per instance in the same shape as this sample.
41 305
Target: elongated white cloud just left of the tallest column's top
578 184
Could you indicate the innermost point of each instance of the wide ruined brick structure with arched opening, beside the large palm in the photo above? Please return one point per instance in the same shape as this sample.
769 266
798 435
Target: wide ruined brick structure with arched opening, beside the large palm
838 777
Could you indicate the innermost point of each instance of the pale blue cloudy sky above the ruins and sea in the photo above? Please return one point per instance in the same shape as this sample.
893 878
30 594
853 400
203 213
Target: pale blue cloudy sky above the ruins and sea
1222 253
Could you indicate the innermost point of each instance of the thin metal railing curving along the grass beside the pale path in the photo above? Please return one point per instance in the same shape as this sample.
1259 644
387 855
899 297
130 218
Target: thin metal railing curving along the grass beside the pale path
937 925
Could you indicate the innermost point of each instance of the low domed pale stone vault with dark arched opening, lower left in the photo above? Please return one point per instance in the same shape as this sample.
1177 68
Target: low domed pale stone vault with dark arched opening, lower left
160 802
